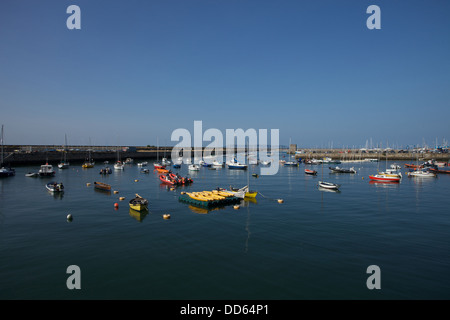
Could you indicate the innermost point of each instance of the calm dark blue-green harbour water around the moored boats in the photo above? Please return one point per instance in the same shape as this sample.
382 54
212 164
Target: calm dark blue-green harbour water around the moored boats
315 245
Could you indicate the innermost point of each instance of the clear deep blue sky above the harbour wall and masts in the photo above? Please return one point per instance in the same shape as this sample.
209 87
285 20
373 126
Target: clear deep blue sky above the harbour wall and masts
138 70
